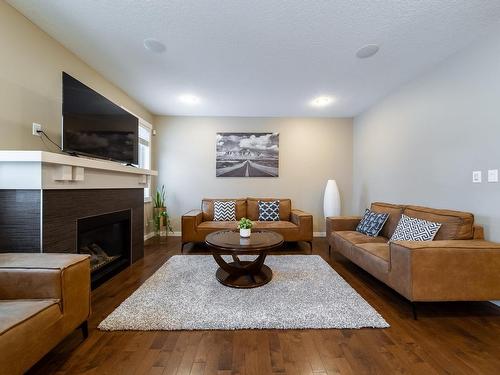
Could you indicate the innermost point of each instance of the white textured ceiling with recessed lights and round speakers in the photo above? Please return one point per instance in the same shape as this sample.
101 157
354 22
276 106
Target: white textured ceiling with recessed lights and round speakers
262 57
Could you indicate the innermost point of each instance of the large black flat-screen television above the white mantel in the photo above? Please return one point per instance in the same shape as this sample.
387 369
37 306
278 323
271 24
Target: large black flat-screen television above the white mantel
95 126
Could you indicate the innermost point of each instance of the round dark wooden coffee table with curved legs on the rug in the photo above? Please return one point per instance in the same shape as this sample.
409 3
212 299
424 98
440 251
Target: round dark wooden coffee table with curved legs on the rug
243 273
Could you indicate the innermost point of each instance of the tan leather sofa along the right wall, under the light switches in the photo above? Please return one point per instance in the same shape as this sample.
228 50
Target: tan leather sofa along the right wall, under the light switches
458 265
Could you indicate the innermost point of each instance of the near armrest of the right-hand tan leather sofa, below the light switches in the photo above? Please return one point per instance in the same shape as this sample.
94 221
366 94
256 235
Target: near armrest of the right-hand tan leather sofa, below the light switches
451 270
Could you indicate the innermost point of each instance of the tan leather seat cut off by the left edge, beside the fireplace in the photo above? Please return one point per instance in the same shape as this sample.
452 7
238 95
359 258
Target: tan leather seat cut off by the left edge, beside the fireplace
43 298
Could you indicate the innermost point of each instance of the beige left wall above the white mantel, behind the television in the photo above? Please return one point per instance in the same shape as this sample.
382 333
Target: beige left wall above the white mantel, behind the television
31 63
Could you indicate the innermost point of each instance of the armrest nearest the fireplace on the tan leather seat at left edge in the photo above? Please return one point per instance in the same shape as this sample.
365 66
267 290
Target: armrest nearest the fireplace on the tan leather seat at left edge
65 277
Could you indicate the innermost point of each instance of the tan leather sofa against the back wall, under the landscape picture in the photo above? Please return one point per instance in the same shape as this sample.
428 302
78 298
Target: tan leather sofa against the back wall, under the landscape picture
294 225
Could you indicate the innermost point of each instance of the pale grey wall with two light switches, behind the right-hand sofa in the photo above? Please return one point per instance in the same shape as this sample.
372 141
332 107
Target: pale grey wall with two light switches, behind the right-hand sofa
421 144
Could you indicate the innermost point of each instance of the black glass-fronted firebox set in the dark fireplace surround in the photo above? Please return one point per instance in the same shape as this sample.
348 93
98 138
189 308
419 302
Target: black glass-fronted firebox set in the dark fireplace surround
107 239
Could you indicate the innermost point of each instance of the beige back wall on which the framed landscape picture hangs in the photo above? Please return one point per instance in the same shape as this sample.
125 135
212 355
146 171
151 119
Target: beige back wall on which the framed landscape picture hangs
311 152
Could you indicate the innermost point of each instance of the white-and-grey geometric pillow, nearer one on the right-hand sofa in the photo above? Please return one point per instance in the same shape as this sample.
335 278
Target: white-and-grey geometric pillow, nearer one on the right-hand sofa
413 229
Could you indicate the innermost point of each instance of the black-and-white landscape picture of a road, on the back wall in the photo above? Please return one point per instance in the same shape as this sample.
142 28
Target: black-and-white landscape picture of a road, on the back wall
247 155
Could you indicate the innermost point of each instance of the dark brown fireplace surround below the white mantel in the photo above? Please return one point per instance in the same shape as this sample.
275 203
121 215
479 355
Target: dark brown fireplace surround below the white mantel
46 220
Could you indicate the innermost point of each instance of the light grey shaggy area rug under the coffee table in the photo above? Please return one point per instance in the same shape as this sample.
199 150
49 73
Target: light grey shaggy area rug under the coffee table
184 294
